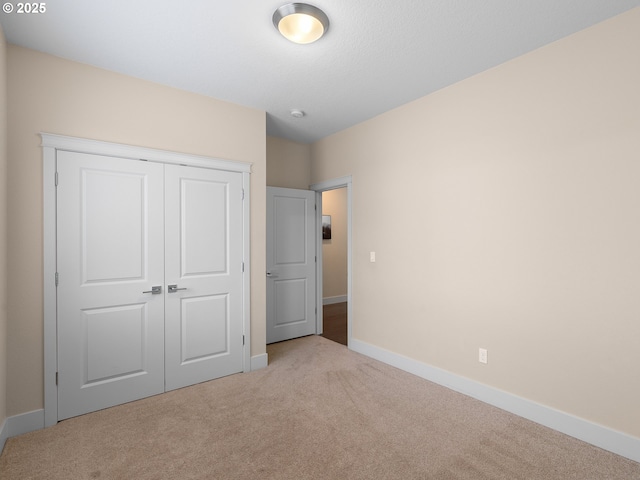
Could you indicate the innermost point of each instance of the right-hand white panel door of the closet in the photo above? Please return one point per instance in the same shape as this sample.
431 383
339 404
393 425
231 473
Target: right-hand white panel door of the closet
204 245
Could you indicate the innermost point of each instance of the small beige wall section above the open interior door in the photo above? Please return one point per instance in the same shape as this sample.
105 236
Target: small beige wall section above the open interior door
288 164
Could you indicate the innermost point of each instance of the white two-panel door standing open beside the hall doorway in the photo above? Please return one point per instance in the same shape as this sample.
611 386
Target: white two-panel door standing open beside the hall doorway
291 264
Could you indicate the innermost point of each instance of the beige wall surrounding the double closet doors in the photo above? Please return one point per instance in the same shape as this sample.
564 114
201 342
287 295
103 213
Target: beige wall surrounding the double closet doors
48 94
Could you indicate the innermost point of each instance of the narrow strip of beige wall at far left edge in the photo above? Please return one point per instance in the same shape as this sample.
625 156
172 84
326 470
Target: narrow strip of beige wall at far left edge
3 228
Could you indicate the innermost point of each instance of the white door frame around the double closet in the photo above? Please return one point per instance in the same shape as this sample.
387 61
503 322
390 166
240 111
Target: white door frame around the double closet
51 143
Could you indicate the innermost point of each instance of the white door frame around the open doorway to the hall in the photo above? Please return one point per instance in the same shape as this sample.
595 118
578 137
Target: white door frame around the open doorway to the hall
342 182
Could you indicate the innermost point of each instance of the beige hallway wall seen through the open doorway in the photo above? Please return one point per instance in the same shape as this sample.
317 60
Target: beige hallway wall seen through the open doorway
334 251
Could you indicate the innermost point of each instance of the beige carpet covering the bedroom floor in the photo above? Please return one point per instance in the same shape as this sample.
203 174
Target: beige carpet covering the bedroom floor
318 411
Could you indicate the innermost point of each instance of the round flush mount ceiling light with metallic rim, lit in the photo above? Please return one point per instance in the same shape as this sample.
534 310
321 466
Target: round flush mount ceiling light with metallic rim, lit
301 22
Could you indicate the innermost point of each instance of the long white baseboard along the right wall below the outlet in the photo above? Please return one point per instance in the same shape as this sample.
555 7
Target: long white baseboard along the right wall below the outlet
598 435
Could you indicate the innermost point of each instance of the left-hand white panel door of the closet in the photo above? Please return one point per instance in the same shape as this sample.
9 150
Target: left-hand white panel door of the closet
110 238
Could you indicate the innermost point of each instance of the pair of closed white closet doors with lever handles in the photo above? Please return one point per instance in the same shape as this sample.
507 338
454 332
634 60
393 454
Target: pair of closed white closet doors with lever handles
150 278
